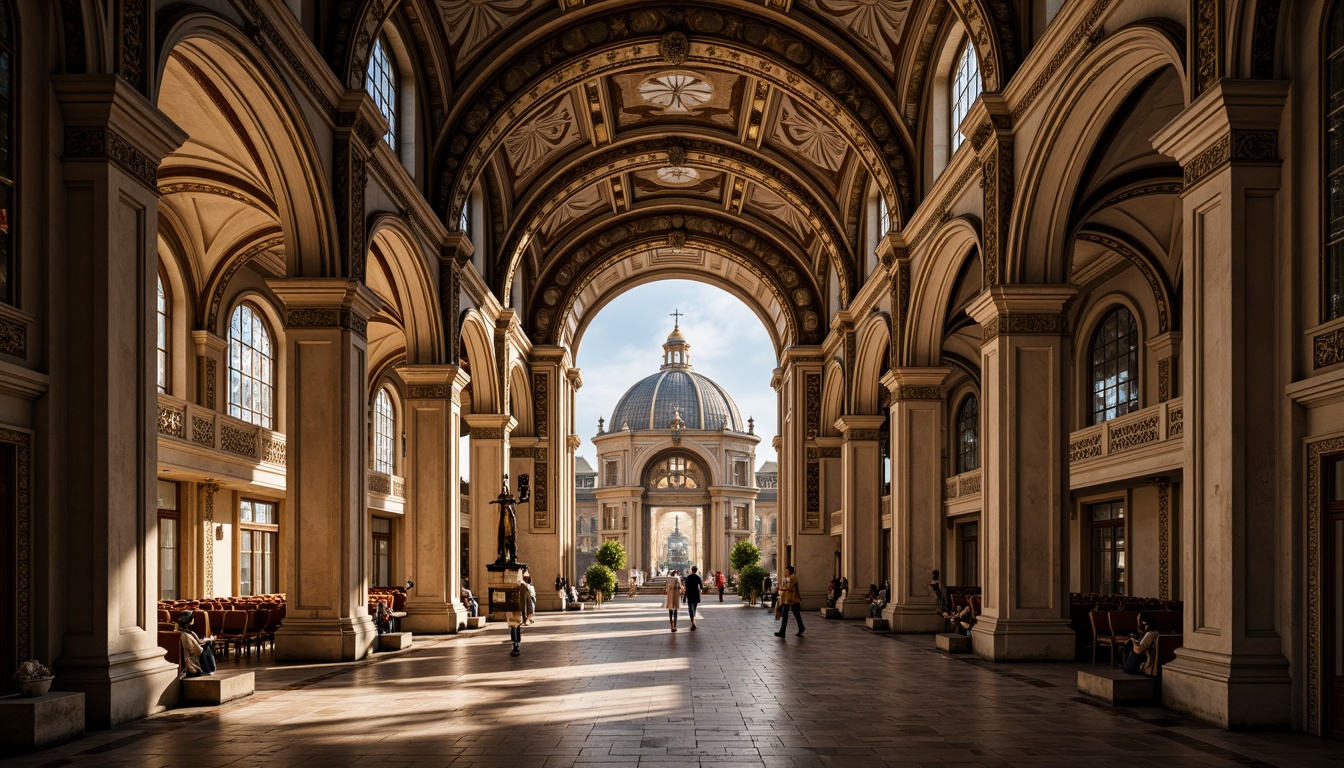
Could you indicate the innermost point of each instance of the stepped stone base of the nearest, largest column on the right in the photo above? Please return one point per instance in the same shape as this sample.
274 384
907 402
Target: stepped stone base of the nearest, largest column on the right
1229 692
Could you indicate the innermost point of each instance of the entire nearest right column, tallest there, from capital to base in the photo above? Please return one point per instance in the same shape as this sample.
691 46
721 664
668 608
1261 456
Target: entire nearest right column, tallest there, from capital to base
1232 669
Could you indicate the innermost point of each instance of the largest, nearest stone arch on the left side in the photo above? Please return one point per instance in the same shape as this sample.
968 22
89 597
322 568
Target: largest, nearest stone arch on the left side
256 103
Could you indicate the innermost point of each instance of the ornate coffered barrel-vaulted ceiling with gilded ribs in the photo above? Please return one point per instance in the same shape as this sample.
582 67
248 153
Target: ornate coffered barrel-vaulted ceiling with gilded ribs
730 142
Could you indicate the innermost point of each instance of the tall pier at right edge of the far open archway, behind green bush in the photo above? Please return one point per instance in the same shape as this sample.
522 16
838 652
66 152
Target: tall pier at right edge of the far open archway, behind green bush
804 525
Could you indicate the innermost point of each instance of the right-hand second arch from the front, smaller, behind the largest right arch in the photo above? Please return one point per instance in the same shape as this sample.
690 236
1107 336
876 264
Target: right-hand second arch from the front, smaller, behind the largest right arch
948 249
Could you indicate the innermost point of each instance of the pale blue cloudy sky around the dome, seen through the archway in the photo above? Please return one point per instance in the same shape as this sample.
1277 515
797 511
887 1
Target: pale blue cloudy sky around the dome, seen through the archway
624 345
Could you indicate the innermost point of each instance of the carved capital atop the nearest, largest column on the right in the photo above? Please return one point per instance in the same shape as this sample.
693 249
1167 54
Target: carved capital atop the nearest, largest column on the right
1234 122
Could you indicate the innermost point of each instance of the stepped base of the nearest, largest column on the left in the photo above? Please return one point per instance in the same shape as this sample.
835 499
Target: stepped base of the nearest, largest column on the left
122 688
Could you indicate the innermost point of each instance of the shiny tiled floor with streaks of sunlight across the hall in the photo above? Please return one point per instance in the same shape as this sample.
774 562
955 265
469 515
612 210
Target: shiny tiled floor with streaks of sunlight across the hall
615 688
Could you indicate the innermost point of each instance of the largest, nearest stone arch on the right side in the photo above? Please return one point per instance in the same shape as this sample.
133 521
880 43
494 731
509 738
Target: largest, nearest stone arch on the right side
1056 163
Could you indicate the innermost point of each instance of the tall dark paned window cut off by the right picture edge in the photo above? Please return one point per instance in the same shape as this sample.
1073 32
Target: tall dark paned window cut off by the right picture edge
1334 154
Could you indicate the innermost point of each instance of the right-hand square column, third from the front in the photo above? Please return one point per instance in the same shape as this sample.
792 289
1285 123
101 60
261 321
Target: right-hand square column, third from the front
917 428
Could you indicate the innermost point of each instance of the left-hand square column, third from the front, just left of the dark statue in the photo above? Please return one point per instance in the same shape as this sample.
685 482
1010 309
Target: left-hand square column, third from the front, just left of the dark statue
433 502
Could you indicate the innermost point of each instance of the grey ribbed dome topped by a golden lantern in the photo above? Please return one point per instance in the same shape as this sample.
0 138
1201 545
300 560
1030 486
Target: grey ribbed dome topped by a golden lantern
677 392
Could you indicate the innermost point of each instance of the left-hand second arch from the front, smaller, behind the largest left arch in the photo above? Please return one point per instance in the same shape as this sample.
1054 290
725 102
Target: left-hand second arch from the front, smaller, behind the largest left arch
417 295
